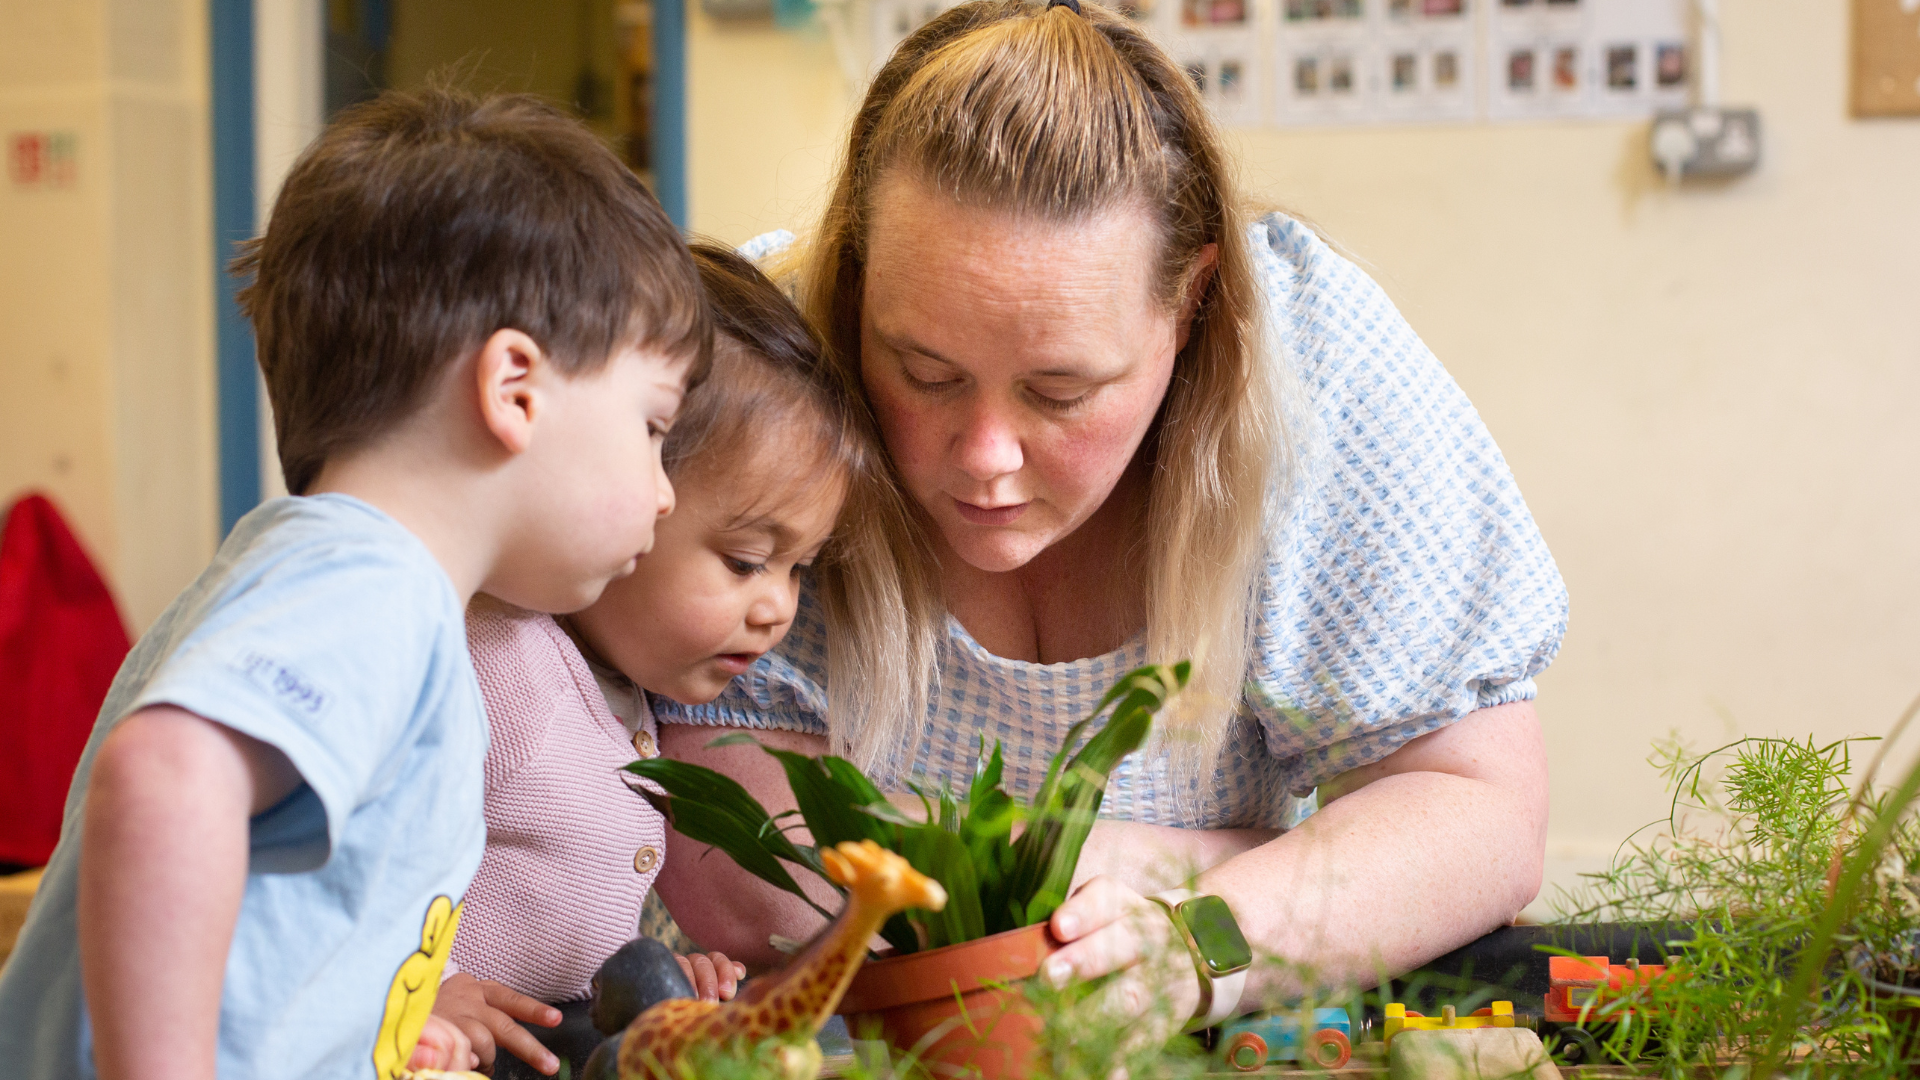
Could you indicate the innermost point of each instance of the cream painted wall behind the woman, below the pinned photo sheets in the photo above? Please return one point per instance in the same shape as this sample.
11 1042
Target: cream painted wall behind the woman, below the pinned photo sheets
1708 395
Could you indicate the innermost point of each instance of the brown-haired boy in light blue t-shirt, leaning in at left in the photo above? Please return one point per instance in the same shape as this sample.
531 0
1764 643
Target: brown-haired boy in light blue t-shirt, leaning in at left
475 330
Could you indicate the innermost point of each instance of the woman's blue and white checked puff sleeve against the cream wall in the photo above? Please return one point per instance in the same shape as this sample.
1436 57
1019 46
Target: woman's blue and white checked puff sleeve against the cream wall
1408 585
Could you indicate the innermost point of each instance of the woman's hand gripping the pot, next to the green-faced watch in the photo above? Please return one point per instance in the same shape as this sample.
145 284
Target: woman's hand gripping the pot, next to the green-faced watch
1115 929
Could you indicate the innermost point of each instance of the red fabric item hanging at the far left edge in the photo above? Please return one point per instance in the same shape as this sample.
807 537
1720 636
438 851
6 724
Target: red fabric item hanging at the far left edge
60 645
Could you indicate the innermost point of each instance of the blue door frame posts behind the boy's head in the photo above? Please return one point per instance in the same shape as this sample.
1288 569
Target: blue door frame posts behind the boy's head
235 201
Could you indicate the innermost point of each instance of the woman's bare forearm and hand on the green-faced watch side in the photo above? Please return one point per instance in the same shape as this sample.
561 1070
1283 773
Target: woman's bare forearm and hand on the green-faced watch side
1410 858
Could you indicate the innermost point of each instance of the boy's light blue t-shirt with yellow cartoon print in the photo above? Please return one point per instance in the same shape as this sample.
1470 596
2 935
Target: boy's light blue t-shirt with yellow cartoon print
331 633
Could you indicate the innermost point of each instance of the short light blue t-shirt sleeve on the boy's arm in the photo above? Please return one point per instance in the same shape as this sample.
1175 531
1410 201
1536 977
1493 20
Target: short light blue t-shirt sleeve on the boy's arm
325 656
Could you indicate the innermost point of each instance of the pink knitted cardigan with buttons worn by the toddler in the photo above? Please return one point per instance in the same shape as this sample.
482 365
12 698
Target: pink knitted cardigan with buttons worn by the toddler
571 852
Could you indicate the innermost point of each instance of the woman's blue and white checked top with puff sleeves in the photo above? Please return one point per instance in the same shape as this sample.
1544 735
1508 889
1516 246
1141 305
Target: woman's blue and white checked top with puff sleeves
1404 589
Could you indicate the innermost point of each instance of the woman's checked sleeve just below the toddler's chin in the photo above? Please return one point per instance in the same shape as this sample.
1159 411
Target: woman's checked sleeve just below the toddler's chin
782 691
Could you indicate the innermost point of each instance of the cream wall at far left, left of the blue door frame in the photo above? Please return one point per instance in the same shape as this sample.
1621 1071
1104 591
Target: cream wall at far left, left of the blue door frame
105 287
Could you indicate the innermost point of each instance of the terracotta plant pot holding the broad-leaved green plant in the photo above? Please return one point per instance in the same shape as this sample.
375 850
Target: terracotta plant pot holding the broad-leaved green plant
959 1006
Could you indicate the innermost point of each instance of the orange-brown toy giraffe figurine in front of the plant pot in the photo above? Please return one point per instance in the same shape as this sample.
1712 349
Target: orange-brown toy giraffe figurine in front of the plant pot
800 998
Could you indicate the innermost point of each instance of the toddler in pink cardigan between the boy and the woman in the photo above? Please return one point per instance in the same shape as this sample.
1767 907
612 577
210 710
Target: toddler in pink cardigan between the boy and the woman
761 464
